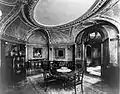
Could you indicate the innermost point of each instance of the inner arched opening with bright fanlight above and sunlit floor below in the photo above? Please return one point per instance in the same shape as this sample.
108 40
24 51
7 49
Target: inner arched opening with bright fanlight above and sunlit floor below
92 41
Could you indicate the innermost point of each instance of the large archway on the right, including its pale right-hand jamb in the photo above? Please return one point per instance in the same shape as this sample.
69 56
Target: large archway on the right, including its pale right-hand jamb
98 45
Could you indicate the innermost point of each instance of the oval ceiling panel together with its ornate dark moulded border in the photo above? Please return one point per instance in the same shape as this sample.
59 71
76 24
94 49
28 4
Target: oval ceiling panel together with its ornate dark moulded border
58 14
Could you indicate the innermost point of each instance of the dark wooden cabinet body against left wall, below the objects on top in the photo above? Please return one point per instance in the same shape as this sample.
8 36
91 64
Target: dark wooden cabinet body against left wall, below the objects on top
14 69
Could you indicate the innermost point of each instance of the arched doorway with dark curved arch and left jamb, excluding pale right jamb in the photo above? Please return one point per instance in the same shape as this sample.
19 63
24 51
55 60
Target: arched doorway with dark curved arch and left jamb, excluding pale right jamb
90 45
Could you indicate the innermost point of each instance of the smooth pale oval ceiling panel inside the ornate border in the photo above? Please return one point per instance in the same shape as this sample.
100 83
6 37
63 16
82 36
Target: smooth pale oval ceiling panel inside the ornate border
58 12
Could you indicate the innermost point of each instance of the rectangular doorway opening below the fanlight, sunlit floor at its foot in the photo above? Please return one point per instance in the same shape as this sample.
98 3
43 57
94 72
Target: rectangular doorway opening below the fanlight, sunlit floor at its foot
93 59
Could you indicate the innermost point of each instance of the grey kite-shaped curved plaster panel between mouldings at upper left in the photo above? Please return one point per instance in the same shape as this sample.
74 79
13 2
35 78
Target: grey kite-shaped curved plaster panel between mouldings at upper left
18 28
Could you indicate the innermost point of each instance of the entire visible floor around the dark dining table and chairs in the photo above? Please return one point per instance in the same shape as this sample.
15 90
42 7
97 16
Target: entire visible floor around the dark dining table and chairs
35 85
